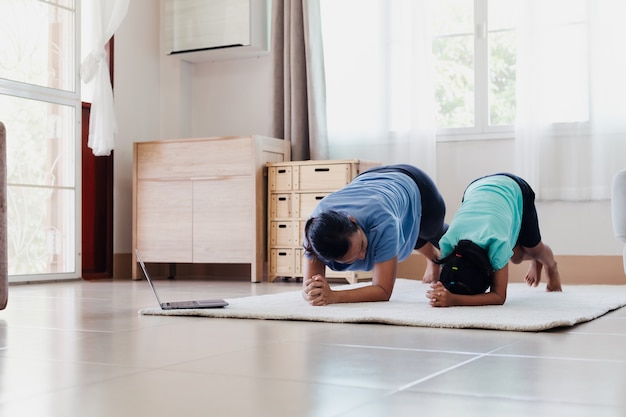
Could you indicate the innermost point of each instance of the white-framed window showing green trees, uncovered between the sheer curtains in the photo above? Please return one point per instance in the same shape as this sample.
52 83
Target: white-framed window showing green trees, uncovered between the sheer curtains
474 51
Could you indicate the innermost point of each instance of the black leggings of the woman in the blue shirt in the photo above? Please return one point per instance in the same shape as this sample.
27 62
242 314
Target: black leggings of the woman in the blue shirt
432 225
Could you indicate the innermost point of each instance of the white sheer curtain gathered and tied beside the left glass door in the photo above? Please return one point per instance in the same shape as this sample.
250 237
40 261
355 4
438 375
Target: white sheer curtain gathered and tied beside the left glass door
103 18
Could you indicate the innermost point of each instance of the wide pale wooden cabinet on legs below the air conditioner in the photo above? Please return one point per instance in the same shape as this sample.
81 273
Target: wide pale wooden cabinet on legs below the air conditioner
203 200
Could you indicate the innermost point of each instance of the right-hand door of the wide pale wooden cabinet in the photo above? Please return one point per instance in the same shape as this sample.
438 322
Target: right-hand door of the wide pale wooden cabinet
223 220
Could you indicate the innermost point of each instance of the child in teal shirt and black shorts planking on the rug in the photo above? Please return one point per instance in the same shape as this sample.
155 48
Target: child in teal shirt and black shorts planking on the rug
497 222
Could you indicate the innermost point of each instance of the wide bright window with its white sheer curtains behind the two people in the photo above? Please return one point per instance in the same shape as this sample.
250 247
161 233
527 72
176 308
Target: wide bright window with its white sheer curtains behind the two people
404 74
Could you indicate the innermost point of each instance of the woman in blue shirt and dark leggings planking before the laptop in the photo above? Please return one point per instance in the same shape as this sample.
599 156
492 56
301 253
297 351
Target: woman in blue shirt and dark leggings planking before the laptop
372 224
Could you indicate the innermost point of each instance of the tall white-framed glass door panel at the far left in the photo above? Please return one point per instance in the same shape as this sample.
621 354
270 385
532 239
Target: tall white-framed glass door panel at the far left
40 106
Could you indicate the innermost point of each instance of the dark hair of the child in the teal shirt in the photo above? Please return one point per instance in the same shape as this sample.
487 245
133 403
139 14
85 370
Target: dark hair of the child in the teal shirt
467 269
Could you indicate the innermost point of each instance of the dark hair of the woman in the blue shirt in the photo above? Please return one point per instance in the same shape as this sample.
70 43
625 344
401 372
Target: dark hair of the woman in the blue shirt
327 236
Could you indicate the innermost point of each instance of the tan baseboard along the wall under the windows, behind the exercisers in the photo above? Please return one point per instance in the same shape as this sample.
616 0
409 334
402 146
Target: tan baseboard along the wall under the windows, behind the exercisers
574 269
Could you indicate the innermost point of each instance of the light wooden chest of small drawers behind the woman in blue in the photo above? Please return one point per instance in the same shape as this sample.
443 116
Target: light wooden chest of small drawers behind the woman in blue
294 190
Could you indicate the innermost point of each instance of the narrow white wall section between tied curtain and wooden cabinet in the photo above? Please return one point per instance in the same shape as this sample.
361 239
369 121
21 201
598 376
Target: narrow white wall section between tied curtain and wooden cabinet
136 94
